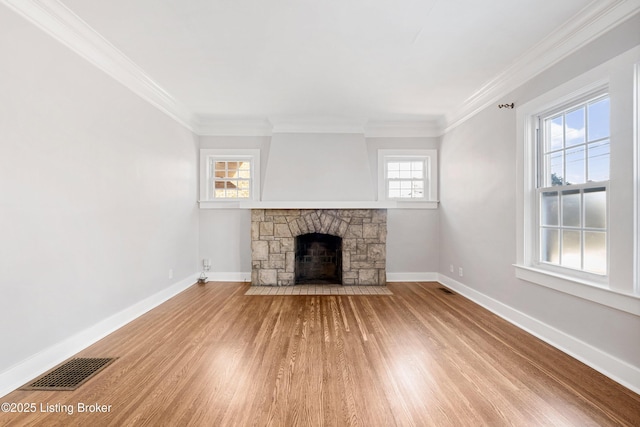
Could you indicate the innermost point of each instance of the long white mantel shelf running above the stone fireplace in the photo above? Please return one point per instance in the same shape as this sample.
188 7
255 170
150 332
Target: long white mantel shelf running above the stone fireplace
277 204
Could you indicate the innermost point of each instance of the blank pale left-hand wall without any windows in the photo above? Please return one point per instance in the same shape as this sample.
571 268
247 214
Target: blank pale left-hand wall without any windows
98 195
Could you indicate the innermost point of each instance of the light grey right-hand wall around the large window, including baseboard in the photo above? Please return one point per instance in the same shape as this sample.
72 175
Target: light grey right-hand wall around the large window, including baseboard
478 222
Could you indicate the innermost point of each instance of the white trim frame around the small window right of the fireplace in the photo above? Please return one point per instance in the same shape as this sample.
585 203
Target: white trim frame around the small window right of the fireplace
430 201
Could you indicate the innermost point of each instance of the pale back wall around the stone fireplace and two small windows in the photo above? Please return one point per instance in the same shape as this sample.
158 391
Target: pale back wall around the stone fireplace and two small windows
412 238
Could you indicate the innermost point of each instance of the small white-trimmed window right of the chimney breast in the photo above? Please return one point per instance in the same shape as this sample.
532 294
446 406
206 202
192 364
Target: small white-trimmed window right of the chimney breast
407 175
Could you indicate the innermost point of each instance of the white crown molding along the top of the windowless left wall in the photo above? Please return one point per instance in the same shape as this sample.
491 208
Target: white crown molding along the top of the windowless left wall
62 24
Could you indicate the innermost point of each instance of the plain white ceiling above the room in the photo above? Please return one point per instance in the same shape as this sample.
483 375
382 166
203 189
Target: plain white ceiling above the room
350 60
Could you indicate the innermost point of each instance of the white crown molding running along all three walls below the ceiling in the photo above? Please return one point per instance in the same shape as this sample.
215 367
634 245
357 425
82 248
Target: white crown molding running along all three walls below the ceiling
62 24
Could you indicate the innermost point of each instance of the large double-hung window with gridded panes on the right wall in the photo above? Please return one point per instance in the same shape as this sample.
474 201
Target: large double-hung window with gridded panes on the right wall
572 185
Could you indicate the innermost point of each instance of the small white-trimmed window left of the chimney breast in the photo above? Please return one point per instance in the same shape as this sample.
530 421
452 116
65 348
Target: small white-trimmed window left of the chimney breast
229 175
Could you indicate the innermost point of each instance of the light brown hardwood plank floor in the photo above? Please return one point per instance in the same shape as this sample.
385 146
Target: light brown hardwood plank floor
213 356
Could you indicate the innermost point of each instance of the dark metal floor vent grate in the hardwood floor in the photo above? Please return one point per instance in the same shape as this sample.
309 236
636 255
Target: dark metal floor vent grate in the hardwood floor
70 375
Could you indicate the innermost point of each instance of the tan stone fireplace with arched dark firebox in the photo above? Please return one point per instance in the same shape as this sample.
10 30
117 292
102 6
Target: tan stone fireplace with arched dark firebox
344 246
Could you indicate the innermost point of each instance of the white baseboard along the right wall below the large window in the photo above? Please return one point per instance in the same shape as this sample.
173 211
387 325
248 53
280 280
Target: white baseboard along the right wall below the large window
618 370
